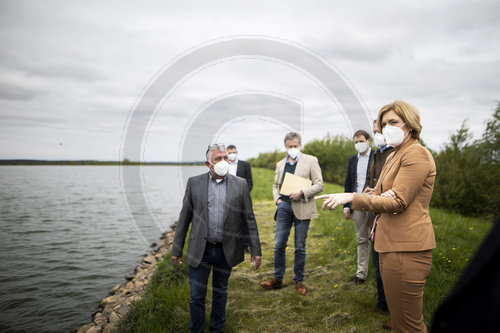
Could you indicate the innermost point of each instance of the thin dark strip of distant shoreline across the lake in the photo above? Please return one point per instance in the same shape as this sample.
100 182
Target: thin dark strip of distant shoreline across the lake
90 162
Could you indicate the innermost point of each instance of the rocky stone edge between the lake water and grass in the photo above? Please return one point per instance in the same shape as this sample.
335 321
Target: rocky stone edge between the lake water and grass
113 307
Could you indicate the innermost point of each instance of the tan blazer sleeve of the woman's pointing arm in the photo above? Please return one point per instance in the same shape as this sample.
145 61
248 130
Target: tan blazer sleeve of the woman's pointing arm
415 167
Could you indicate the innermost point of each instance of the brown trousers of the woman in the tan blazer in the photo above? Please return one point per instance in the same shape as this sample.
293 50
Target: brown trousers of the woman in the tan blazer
404 274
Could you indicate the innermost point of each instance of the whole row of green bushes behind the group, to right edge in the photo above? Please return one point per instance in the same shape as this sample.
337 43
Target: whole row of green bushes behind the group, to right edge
468 171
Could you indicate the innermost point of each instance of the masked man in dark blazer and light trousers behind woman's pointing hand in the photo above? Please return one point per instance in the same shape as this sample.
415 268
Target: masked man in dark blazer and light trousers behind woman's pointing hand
354 183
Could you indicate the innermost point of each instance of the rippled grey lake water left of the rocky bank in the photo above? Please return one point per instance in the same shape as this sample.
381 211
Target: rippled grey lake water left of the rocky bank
67 236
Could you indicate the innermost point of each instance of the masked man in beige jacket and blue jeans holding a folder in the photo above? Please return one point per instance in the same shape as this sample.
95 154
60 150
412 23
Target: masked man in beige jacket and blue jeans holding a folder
295 209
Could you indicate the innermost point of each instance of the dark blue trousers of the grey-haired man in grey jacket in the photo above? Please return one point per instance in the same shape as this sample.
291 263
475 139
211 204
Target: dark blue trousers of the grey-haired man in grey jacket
213 259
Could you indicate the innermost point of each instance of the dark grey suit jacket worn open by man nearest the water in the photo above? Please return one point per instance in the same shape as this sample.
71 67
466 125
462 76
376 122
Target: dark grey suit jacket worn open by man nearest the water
194 212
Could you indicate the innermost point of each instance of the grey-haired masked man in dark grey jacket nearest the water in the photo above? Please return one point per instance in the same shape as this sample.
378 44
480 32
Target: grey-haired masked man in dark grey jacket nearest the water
216 204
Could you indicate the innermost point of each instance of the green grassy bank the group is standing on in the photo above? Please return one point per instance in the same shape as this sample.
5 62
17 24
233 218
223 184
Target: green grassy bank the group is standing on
330 304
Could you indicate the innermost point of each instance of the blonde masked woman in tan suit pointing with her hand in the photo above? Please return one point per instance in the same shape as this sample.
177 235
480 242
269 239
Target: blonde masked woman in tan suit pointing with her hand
404 235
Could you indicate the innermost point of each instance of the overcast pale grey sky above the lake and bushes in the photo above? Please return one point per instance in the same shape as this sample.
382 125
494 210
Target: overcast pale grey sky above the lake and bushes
72 72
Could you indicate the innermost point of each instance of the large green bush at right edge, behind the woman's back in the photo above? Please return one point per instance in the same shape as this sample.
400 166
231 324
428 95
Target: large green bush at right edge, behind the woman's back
468 172
